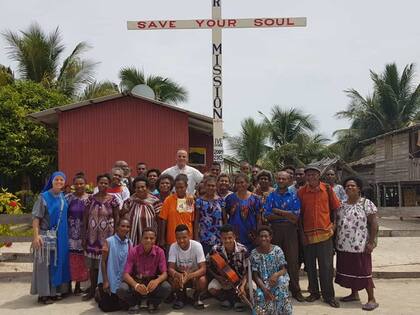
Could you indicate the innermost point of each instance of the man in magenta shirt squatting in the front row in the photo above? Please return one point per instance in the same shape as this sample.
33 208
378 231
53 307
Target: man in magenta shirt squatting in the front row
145 275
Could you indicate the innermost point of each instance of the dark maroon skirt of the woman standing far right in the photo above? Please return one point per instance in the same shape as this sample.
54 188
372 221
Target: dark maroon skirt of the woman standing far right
354 270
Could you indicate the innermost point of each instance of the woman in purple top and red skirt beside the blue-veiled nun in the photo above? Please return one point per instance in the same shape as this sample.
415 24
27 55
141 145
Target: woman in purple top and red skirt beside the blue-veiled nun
77 203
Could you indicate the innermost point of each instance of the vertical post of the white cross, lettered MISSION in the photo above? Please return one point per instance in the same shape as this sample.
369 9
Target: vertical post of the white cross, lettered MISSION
217 84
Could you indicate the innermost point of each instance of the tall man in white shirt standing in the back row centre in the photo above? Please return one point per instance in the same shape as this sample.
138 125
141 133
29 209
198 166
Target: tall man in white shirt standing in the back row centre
181 167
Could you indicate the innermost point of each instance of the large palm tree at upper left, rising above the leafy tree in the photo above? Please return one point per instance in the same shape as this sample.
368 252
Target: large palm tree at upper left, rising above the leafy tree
38 57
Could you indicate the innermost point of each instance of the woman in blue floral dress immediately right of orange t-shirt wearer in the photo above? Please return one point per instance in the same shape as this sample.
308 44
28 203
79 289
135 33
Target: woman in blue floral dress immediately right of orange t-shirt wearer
209 216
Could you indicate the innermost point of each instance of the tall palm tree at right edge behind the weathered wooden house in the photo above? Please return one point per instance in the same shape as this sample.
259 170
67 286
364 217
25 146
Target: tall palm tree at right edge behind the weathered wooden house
394 104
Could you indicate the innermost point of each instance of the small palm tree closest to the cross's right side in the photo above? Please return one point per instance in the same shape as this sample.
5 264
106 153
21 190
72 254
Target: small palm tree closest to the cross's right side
250 145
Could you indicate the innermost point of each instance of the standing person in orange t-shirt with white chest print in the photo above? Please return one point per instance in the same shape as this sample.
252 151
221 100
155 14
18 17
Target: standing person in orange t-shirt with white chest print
176 210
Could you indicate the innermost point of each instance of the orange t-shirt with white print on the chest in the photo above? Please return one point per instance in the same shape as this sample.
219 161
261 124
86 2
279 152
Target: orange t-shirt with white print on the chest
175 211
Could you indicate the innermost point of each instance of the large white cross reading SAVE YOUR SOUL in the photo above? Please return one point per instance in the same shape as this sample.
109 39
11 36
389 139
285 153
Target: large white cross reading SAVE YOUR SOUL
216 24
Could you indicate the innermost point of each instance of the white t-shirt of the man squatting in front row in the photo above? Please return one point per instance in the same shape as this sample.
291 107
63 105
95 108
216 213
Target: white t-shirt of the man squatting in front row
187 260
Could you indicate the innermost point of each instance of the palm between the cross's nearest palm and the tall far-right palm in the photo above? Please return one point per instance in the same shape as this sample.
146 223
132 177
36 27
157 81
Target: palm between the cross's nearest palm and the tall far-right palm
285 126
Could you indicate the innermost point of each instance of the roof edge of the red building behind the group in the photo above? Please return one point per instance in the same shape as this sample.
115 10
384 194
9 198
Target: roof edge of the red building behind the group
50 116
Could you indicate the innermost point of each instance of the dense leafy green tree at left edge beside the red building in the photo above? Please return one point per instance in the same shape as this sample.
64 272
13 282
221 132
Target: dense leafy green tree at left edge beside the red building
27 148
